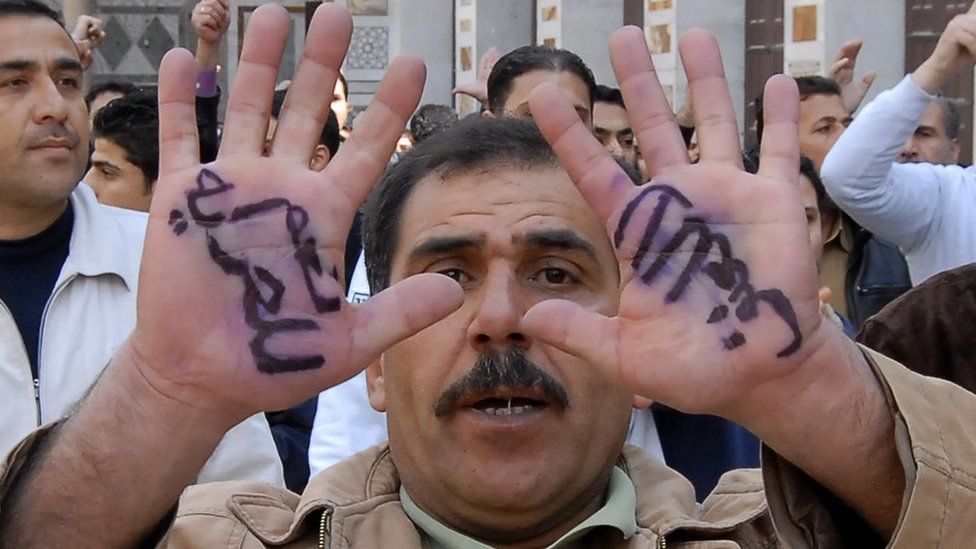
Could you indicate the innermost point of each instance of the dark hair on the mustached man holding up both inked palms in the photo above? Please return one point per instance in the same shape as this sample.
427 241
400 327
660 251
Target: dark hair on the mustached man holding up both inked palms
471 145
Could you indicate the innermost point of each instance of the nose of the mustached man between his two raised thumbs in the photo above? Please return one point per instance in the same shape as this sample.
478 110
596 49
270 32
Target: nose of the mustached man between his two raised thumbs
497 322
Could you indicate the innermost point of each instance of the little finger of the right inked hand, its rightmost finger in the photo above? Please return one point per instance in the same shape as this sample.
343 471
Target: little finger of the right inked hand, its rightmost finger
779 152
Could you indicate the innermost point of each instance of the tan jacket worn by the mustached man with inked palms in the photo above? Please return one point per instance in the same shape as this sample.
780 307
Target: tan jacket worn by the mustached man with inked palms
355 503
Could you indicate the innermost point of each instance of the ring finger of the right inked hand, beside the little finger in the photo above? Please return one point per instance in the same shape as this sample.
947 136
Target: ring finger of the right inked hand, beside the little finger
718 131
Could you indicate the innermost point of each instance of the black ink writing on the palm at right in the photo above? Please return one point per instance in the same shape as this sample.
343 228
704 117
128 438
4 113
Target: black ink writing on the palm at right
726 272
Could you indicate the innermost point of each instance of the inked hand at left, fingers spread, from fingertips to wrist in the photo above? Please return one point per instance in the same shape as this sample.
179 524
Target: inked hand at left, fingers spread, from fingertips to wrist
240 306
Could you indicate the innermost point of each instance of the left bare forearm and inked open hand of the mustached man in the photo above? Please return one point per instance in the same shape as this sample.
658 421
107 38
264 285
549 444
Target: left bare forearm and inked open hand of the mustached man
240 308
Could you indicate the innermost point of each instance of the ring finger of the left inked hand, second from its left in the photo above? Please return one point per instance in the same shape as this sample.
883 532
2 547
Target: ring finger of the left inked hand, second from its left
246 122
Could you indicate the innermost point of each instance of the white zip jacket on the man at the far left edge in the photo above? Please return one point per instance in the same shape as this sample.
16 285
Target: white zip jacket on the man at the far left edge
90 313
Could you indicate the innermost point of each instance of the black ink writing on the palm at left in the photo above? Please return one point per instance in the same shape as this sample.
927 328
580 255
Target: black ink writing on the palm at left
263 290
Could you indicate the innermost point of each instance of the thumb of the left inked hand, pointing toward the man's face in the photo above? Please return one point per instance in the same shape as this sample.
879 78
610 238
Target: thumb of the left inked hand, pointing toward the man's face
400 311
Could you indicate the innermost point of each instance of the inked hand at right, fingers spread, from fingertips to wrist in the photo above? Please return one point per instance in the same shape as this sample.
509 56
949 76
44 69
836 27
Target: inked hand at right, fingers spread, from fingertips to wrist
718 288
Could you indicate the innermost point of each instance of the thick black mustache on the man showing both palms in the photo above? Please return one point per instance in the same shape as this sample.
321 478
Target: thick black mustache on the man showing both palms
494 370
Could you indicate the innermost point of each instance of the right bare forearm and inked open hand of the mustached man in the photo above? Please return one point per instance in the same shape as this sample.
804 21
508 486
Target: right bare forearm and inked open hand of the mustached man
719 311
